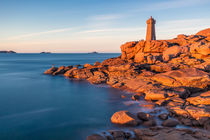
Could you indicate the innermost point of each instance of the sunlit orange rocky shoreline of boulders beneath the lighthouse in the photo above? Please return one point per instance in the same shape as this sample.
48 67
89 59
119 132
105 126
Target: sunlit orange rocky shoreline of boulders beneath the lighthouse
171 74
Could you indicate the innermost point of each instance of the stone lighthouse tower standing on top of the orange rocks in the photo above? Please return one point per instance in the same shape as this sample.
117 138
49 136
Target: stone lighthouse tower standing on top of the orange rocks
151 29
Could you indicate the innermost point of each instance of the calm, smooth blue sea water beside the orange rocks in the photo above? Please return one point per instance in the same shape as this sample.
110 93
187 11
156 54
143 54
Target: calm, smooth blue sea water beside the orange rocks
34 106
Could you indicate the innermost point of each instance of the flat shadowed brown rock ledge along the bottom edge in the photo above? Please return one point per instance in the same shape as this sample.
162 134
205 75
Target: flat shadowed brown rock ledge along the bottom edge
153 133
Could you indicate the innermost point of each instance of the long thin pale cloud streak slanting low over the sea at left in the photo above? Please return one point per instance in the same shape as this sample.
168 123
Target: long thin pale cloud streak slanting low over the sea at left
39 33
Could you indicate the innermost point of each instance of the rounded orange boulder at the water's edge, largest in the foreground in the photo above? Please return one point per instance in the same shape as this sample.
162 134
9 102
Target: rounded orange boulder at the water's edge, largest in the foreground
124 118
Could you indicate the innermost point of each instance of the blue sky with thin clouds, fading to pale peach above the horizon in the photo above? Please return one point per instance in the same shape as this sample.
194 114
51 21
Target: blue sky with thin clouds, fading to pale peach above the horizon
80 26
